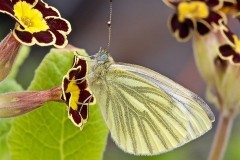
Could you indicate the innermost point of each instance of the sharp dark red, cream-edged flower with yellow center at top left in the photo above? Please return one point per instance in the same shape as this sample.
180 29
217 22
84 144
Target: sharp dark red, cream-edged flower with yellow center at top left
37 23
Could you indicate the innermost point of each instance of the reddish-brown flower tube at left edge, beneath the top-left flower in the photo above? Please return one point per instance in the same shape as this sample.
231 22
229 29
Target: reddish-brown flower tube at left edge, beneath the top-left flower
9 48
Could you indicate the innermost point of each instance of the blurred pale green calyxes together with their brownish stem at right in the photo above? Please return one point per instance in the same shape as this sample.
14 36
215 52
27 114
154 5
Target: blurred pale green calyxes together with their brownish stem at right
223 85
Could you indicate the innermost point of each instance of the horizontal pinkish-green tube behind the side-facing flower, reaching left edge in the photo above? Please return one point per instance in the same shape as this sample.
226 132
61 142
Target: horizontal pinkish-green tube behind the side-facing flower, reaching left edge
17 103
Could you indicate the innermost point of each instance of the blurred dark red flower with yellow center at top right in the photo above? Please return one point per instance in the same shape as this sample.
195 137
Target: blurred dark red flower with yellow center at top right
199 15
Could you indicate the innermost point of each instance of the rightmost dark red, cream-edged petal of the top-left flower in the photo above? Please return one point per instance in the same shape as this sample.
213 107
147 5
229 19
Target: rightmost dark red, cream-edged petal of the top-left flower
58 24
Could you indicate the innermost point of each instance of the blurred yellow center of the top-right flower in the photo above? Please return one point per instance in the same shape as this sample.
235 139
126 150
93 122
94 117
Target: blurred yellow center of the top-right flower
192 10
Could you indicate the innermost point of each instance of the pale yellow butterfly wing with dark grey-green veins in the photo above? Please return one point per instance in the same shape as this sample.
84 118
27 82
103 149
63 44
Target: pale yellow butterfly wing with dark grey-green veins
148 113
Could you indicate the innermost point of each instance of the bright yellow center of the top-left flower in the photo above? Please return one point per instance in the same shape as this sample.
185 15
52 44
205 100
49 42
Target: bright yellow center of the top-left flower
31 19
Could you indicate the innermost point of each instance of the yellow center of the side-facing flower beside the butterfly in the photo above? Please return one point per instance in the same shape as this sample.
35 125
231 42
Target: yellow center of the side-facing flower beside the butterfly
74 90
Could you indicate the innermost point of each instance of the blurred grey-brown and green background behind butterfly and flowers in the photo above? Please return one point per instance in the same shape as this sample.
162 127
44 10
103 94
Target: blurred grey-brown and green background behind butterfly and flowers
139 36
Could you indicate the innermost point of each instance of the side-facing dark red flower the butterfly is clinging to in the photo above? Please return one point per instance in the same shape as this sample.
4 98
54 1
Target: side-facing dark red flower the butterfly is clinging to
76 93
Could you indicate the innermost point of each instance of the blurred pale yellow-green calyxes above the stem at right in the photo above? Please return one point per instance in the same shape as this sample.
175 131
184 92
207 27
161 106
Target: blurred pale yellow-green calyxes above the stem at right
221 76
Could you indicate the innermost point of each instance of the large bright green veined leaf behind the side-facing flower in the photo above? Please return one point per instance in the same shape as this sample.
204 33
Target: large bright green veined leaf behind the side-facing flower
47 133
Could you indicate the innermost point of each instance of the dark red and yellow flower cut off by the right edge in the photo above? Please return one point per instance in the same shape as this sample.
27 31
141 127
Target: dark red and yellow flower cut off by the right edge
231 49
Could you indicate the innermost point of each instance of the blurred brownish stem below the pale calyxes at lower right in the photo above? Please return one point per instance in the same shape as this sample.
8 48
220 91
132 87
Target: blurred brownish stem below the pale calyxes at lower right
221 136
